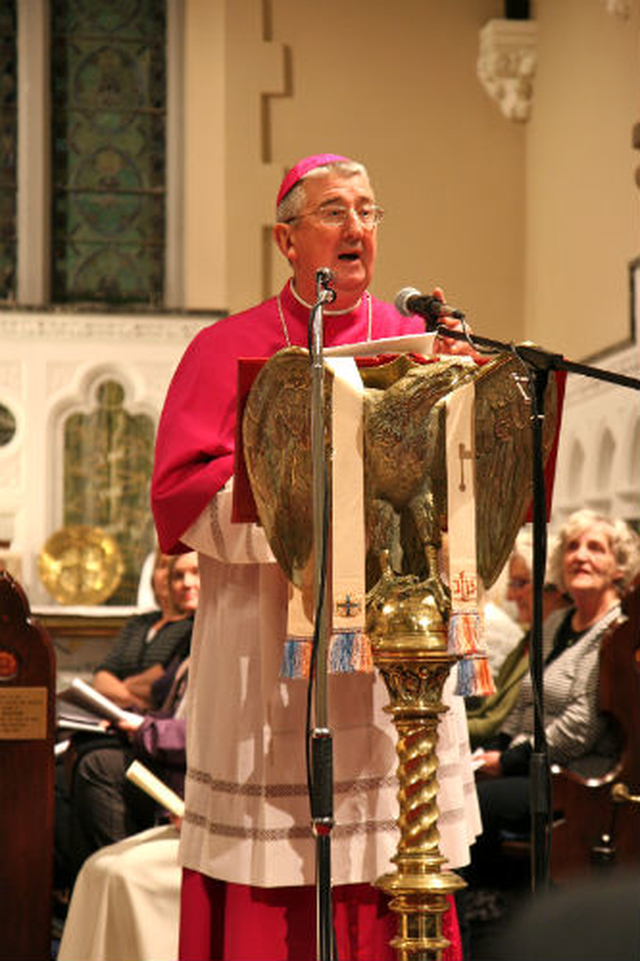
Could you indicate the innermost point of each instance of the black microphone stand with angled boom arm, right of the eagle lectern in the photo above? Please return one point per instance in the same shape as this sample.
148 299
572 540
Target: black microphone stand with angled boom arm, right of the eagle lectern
538 364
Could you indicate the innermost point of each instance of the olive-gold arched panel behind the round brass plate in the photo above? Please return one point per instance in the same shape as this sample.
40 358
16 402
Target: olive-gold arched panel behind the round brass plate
108 456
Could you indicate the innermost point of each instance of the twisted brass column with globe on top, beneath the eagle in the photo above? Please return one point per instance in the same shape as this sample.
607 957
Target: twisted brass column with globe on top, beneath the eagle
409 642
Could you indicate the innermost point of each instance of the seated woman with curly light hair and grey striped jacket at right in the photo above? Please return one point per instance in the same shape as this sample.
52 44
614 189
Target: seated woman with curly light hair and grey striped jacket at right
594 561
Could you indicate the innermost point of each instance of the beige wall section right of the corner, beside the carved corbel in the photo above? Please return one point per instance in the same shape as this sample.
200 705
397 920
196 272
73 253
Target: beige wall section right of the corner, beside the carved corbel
582 202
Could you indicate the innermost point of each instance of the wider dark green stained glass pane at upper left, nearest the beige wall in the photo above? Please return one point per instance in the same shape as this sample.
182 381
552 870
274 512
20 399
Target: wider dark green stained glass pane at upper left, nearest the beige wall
108 90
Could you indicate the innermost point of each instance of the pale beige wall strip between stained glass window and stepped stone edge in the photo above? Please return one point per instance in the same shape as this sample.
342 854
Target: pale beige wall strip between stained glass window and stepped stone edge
229 73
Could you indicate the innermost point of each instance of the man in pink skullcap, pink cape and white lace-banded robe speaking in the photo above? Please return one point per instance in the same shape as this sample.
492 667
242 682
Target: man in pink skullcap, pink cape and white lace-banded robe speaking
247 845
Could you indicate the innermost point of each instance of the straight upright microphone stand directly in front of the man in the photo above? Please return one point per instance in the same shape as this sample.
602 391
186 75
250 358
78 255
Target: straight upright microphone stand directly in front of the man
320 764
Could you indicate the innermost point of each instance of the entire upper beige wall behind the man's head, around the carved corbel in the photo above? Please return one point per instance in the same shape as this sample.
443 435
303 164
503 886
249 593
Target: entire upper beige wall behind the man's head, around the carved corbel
509 217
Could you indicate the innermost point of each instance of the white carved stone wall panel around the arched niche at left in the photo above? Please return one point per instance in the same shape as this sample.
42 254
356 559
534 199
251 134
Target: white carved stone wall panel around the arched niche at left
52 363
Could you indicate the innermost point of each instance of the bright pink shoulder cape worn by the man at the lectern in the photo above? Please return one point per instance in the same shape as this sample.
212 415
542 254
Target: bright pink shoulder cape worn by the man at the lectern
196 436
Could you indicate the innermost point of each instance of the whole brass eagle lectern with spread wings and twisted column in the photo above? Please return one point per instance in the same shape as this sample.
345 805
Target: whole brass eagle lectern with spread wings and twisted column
407 603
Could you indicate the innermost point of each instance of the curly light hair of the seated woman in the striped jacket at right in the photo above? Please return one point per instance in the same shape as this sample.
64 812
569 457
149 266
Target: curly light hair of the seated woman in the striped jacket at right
624 543
